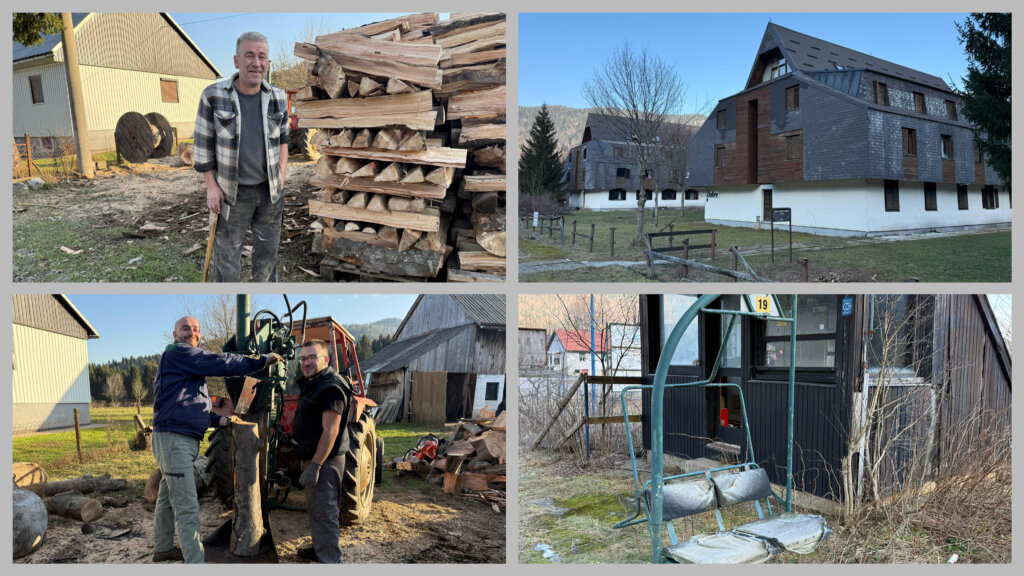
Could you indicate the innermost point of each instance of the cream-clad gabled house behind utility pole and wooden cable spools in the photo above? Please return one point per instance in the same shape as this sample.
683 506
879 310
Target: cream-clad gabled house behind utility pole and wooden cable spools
130 62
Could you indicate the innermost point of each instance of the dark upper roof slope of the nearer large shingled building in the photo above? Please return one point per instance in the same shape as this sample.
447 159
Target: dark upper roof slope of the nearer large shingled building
814 55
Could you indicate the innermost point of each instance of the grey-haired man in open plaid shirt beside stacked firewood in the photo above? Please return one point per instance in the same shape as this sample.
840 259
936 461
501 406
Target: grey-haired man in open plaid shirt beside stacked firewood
241 146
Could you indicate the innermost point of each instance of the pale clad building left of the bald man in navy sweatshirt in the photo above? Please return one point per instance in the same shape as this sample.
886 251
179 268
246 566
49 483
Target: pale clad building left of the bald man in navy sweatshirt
51 362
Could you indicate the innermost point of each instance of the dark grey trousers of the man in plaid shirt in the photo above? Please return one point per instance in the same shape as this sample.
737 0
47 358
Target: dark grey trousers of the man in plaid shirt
252 207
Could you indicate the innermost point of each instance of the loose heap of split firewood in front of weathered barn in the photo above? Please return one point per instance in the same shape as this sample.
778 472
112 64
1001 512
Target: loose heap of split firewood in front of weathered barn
472 462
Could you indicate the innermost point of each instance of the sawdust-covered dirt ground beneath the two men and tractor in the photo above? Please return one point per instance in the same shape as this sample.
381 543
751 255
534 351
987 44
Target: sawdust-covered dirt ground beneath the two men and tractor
412 523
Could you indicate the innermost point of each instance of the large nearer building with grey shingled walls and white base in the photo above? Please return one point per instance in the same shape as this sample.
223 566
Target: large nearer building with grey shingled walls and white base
854 144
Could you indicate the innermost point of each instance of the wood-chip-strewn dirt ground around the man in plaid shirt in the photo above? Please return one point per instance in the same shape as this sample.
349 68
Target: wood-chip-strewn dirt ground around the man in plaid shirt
168 193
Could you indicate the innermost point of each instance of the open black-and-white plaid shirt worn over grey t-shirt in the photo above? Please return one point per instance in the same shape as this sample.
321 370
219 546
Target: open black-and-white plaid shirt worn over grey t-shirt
219 125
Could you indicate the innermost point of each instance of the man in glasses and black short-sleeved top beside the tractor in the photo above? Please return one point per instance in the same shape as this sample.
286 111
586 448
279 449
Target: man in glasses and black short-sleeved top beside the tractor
322 438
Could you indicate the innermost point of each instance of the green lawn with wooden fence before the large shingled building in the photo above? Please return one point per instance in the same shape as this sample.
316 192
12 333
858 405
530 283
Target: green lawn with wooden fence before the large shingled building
984 257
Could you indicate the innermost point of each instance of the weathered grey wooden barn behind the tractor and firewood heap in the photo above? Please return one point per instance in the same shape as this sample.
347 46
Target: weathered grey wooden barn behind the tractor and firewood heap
445 362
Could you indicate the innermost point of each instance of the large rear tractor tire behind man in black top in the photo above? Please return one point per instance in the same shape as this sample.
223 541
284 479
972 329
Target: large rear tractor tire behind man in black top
361 465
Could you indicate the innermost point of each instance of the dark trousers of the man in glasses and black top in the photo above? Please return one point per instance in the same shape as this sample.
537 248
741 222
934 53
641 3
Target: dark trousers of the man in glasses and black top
324 506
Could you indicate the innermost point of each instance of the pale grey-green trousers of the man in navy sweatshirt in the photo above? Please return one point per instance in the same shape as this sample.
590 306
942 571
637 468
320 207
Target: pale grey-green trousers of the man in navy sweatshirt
178 503
